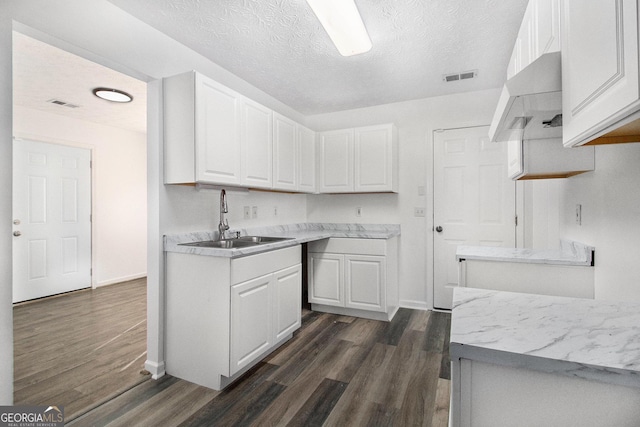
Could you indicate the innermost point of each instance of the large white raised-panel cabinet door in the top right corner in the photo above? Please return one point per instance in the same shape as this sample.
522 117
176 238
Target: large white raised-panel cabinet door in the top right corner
599 65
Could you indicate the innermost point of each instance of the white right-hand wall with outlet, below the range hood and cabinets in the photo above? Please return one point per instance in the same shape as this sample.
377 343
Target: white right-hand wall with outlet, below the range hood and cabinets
610 199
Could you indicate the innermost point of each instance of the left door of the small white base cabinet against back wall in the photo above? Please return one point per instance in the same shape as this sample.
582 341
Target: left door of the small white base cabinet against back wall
326 279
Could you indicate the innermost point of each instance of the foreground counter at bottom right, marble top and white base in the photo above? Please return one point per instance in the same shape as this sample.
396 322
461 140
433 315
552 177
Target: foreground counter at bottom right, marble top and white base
521 359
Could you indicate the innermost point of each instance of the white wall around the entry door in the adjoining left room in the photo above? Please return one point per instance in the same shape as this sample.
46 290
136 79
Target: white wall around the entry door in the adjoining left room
119 188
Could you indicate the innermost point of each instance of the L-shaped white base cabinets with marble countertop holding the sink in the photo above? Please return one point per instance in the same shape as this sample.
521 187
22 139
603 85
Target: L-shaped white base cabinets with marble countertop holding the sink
228 308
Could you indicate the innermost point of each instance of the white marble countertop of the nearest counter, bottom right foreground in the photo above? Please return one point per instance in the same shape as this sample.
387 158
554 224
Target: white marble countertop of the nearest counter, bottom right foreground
575 337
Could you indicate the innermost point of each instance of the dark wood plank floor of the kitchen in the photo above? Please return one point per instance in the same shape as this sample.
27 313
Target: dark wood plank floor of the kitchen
335 371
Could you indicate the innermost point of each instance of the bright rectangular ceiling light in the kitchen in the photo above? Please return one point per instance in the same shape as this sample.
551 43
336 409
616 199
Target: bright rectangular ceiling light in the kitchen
341 20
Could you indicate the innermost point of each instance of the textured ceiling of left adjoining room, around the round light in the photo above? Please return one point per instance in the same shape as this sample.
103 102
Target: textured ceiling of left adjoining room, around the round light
42 72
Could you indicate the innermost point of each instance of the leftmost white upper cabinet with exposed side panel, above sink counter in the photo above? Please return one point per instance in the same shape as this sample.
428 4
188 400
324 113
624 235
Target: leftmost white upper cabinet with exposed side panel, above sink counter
201 131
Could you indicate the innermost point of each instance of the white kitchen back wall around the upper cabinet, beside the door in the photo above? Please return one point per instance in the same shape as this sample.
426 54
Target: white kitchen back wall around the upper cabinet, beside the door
416 121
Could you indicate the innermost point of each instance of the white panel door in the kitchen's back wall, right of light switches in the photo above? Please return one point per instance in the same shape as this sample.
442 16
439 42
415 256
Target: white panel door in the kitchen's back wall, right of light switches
474 201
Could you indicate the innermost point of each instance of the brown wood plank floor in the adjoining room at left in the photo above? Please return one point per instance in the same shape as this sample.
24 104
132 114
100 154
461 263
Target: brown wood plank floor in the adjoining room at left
80 349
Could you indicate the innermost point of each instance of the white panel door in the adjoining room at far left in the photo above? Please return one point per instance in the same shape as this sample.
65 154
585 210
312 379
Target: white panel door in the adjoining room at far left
52 219
